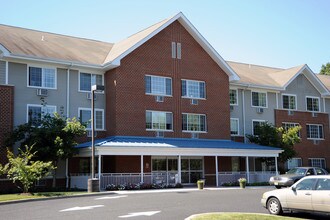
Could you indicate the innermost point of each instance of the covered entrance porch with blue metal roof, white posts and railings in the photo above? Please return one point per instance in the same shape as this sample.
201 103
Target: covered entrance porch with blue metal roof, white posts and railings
123 160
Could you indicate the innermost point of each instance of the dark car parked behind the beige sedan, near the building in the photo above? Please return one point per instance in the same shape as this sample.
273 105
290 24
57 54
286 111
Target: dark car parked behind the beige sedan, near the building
294 175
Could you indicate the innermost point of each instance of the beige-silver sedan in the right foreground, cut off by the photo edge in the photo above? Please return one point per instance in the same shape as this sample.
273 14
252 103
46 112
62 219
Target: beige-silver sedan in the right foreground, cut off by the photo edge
310 194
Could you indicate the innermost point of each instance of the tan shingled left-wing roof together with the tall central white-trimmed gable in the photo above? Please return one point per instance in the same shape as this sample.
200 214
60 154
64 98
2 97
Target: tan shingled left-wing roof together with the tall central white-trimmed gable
31 44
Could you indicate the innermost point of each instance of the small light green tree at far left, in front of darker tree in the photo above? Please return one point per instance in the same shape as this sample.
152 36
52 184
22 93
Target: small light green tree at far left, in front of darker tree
24 169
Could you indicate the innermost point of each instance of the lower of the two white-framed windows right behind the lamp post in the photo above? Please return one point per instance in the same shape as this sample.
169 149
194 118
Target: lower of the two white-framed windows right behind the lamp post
85 116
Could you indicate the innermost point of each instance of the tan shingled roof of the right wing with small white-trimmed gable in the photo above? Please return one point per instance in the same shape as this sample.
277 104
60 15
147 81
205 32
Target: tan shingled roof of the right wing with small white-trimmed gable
256 76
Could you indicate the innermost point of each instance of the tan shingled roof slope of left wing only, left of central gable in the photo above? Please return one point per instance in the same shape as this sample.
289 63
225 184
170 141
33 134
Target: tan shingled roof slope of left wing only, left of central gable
27 43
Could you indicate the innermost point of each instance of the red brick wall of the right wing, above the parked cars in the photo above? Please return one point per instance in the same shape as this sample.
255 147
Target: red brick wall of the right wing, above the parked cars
307 148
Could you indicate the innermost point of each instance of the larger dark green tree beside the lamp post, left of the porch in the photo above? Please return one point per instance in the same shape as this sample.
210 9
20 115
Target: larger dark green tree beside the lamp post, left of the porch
53 137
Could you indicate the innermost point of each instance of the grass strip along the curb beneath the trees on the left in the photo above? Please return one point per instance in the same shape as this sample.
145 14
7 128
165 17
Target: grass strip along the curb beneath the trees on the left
10 197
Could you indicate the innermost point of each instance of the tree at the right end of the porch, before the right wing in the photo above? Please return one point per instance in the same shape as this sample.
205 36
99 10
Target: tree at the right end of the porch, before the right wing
268 135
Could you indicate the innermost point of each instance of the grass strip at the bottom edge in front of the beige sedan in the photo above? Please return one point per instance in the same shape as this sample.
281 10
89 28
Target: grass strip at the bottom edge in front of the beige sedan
242 216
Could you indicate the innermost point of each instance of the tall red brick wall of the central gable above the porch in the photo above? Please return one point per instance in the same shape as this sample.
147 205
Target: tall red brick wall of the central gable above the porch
126 101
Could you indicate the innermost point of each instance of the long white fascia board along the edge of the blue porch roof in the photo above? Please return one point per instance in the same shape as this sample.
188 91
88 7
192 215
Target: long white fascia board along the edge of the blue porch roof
168 151
